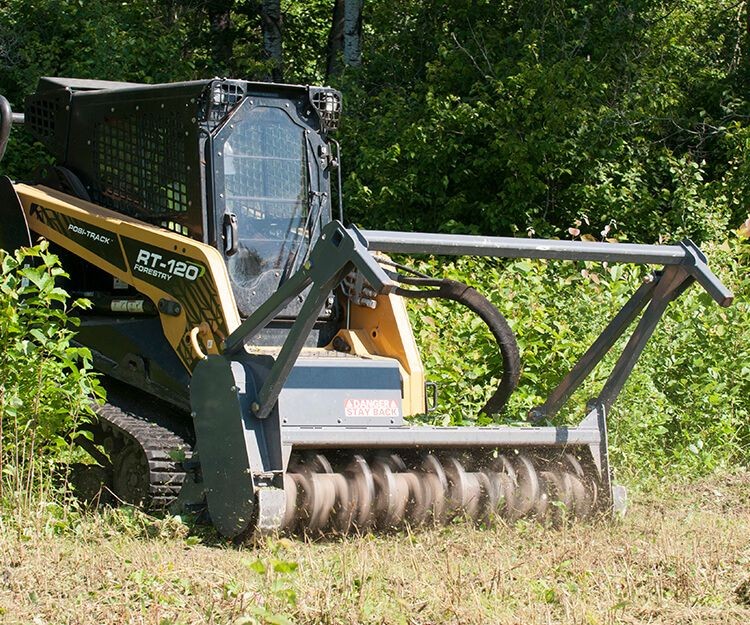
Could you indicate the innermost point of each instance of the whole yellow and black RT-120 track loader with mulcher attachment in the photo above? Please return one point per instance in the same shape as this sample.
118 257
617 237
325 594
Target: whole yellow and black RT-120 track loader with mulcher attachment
257 352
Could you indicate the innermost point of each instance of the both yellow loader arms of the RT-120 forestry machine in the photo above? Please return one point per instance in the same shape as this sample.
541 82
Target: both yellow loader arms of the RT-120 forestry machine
188 283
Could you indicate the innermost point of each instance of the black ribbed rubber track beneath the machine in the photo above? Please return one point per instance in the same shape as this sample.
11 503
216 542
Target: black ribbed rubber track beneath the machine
156 442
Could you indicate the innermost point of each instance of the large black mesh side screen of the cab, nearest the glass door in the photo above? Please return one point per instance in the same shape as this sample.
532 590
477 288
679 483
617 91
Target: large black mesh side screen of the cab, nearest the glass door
140 164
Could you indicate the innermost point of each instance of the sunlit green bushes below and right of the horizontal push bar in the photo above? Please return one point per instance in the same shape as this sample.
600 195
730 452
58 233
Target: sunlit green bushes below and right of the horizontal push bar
685 408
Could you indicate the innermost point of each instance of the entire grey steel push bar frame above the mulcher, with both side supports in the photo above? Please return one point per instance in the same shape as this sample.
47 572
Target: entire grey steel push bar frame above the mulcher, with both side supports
340 249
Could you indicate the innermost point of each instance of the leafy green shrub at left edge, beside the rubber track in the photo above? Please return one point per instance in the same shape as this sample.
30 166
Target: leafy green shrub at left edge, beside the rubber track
47 382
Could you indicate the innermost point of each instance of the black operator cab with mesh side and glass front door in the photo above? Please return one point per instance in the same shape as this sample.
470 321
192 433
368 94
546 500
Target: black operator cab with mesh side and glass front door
242 166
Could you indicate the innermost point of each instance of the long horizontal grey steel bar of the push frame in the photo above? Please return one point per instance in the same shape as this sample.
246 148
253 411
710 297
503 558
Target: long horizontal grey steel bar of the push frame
511 247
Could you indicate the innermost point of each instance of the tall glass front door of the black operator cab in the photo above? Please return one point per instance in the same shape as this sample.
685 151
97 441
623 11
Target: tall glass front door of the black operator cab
271 193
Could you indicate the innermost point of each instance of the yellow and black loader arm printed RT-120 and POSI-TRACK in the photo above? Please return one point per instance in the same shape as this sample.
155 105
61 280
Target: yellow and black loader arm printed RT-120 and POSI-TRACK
186 280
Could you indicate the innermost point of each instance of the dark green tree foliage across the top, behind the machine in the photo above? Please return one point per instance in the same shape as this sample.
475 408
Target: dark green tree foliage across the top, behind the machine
496 118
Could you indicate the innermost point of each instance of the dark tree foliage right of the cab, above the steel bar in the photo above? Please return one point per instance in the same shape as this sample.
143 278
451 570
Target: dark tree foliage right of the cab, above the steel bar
499 118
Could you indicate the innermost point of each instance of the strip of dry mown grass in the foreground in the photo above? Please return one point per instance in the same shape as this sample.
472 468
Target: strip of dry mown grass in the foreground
680 556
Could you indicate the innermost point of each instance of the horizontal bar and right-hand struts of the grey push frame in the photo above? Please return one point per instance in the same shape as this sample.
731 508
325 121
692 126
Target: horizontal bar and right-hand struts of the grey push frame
684 264
